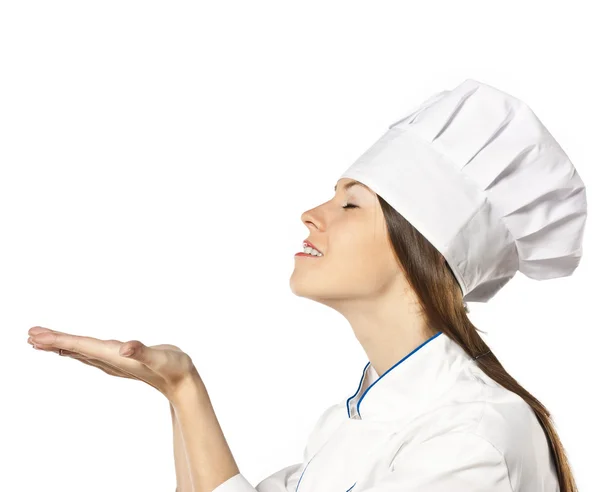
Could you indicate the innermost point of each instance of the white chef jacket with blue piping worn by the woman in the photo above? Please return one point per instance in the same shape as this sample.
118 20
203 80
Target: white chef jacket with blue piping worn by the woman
433 422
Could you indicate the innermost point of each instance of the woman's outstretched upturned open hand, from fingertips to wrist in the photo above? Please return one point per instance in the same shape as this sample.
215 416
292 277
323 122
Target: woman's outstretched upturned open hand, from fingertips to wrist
164 367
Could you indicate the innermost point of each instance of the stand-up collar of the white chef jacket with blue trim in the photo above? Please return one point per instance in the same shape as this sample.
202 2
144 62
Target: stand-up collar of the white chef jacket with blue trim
410 384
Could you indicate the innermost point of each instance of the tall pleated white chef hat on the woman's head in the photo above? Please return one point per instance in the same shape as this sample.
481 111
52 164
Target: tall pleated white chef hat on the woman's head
476 172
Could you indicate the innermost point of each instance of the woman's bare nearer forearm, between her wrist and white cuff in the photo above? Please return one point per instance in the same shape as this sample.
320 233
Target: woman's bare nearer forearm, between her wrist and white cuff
209 458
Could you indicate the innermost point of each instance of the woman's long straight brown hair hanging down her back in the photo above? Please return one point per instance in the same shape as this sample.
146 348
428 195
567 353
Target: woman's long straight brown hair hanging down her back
441 299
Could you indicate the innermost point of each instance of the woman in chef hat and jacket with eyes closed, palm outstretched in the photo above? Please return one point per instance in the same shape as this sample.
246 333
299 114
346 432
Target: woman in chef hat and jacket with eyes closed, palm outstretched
444 208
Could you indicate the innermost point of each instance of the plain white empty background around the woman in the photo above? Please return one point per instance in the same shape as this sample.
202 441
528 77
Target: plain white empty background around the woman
155 160
